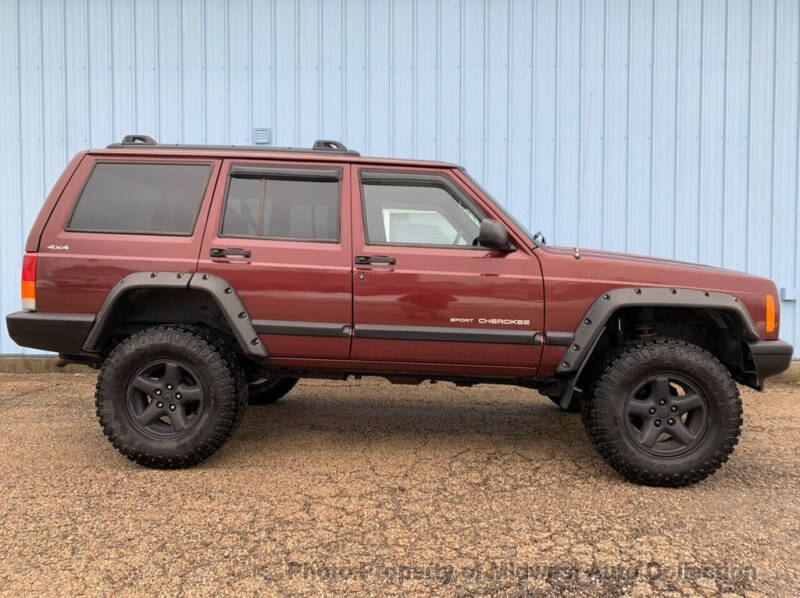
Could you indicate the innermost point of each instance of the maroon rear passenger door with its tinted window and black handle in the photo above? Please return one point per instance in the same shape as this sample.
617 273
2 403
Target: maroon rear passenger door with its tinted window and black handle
280 234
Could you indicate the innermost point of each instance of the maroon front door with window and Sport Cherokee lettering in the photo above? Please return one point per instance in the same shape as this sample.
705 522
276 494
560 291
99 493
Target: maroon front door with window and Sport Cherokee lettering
423 293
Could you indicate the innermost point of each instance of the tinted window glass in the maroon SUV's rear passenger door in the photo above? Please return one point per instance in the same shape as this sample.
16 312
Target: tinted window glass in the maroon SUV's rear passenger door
282 209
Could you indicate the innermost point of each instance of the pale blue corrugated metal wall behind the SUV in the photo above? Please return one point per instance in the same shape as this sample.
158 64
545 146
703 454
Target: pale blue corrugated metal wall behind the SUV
683 114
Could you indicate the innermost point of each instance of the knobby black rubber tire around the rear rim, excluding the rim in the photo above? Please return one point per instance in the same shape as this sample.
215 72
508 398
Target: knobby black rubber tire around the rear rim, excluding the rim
211 361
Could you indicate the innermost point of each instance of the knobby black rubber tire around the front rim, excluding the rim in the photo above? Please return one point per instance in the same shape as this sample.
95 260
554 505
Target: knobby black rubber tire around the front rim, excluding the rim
606 419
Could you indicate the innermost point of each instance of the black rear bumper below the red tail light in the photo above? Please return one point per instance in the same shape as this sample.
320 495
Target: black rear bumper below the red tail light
59 333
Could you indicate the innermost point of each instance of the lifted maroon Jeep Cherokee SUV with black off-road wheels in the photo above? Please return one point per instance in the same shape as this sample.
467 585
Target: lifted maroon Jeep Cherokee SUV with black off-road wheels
201 278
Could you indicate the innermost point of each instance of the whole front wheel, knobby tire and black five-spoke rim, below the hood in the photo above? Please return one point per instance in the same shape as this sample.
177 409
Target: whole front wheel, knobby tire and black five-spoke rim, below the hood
664 412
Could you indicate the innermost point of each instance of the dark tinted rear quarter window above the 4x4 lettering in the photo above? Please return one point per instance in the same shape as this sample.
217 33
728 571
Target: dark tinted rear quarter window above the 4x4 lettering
141 198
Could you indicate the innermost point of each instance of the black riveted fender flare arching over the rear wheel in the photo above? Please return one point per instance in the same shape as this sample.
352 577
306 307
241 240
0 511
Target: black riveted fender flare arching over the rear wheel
223 293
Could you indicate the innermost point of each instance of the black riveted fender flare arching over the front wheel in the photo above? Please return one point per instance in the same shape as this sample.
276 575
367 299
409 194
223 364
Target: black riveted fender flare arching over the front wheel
595 320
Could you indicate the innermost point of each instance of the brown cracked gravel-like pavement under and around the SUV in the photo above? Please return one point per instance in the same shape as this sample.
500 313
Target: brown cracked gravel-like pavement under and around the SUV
368 488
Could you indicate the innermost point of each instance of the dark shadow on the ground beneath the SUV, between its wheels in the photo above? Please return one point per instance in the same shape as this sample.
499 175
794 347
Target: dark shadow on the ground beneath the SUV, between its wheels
383 417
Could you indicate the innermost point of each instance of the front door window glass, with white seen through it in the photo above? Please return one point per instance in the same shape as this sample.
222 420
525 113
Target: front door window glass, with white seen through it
414 214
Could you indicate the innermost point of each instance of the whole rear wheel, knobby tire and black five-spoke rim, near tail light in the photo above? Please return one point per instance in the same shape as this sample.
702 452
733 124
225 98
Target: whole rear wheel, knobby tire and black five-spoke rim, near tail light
168 397
